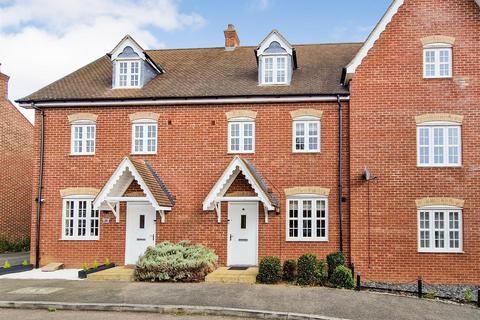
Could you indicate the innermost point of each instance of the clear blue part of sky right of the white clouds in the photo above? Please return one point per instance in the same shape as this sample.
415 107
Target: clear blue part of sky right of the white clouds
300 21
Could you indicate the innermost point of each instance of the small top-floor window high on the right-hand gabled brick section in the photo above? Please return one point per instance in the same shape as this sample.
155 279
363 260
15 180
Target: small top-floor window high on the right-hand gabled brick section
437 61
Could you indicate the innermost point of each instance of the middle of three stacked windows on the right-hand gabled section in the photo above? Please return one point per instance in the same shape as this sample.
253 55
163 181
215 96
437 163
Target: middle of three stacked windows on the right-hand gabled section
438 145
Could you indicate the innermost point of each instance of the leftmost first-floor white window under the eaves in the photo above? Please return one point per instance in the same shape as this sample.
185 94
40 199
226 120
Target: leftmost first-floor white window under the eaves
83 138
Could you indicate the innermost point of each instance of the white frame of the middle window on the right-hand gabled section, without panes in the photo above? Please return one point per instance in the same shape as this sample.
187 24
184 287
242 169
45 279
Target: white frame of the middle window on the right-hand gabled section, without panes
445 125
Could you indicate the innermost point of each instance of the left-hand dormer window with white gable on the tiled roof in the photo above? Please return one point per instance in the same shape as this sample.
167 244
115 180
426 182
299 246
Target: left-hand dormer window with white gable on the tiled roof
131 66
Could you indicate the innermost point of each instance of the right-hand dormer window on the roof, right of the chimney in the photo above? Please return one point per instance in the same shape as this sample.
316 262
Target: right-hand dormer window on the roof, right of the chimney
276 59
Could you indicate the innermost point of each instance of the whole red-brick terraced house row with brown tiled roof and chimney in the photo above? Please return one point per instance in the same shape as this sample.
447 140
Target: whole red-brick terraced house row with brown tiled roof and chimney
274 149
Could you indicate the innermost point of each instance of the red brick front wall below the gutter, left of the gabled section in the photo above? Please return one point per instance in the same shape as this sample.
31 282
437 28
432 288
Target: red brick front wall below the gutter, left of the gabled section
192 154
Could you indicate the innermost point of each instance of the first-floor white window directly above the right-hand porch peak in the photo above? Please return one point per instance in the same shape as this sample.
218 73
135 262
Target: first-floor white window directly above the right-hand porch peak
241 136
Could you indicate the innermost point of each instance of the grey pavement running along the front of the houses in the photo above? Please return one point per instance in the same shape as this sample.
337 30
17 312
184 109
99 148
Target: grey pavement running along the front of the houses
318 301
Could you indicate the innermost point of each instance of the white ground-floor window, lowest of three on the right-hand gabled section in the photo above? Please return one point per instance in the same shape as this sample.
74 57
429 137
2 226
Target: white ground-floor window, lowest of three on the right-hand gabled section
440 230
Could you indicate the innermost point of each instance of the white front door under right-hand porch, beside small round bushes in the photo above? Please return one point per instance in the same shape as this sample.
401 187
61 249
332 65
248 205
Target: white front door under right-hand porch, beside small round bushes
242 239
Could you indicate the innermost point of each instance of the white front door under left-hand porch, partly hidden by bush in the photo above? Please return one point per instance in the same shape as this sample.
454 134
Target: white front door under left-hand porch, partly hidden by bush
140 232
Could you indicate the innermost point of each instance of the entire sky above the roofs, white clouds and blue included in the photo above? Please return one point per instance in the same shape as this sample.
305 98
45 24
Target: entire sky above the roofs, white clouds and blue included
44 40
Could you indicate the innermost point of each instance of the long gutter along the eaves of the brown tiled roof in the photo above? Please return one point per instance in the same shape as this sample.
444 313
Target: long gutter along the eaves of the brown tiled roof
186 101
